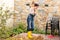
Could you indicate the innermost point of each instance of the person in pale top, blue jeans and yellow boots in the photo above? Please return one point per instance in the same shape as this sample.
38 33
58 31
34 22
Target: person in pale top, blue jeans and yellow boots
30 19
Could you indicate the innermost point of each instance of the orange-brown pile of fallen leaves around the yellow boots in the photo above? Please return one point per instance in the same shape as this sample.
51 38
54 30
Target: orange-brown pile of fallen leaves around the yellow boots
23 36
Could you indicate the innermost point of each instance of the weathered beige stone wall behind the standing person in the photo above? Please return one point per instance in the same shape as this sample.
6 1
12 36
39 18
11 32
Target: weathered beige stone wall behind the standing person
44 13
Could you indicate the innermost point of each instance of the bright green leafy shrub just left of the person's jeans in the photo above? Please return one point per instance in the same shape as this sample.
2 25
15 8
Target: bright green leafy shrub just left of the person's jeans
19 29
